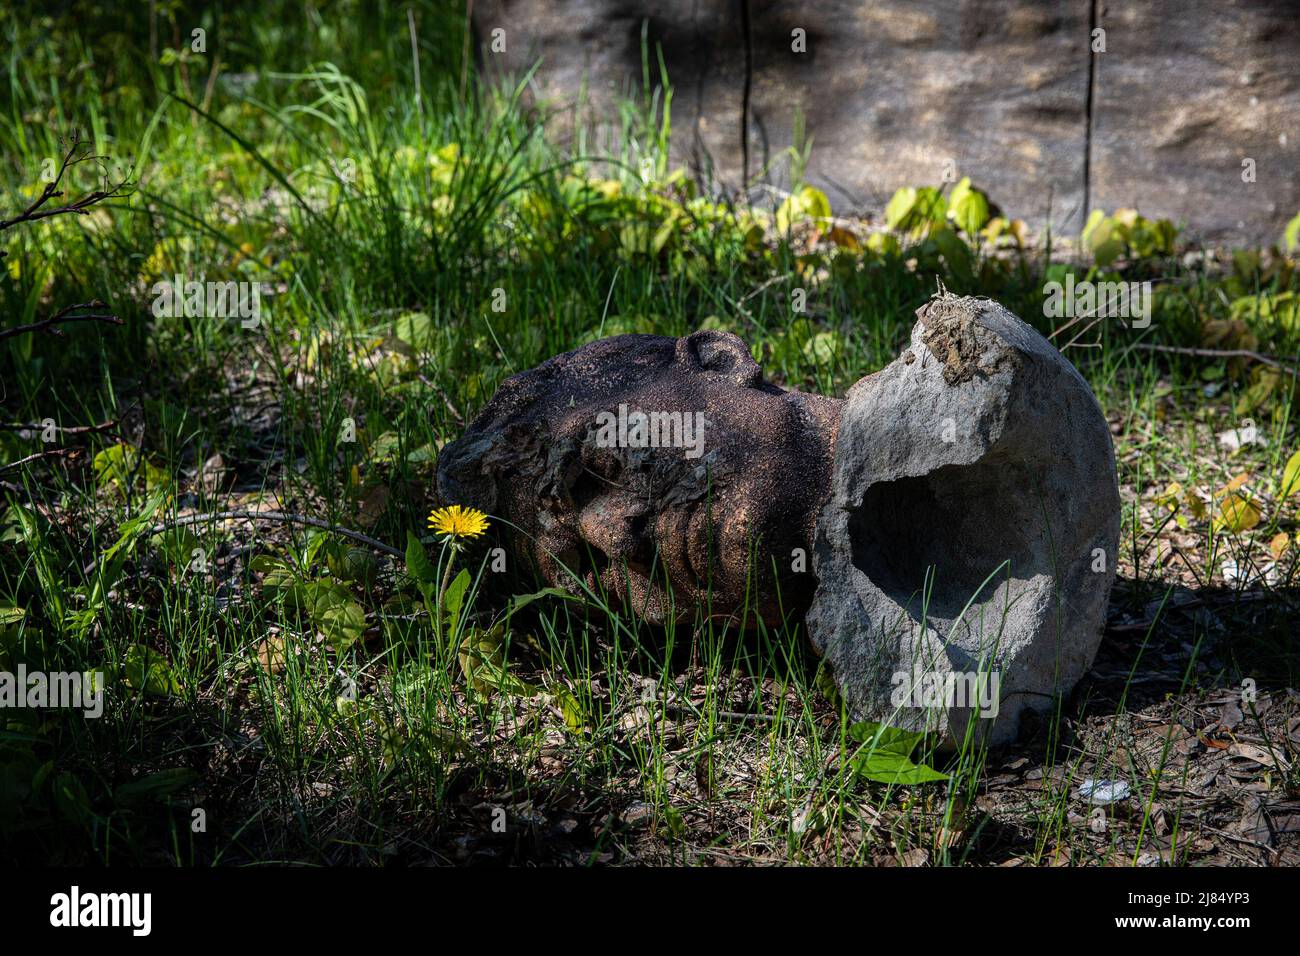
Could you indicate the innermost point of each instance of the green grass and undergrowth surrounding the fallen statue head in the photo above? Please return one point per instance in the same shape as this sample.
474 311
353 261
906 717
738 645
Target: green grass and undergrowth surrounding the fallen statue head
418 256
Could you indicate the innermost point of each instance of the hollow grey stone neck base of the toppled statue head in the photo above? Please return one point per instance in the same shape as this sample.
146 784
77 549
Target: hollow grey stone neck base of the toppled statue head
972 526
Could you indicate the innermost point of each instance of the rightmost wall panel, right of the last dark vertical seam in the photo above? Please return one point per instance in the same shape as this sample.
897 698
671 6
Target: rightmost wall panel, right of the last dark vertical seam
1185 93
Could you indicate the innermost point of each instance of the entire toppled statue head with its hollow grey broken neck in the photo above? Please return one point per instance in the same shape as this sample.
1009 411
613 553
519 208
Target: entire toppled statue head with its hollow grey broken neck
951 529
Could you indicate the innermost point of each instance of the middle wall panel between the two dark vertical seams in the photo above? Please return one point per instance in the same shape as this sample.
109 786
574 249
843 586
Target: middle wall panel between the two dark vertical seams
900 93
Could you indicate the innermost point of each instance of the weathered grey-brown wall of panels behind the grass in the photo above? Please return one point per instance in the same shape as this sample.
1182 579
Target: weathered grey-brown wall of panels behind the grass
899 93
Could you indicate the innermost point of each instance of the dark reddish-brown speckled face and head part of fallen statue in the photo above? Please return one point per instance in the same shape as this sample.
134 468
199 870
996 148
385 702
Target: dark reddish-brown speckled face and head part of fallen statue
643 461
